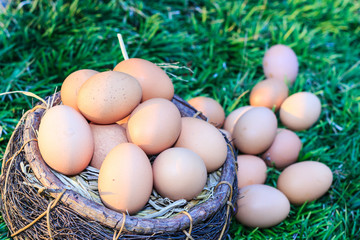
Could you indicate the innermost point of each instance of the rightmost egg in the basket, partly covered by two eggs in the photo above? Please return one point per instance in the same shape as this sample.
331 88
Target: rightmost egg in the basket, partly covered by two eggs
205 140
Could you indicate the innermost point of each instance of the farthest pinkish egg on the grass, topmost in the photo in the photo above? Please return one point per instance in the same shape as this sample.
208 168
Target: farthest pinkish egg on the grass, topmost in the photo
280 62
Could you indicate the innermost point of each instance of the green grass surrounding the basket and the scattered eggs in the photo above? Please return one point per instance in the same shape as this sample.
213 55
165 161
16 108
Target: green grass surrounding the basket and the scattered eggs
223 42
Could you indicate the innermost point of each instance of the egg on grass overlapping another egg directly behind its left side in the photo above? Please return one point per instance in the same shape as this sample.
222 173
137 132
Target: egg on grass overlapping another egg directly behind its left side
255 131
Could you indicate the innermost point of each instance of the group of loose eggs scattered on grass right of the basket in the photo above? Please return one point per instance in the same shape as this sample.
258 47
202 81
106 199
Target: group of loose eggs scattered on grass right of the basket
254 132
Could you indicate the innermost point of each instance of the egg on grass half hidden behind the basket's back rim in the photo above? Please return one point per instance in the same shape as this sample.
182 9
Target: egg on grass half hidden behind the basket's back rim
210 108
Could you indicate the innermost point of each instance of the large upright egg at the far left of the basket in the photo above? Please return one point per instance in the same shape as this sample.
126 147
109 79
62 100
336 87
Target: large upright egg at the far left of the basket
65 140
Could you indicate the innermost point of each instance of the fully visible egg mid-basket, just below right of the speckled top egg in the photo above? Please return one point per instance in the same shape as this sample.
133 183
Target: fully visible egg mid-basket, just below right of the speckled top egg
154 125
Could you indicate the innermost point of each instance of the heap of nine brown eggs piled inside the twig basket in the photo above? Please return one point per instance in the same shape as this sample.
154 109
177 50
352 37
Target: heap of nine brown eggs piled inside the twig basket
116 121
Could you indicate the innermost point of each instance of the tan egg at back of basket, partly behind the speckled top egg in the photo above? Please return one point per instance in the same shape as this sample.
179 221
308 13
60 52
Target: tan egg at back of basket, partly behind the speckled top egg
154 81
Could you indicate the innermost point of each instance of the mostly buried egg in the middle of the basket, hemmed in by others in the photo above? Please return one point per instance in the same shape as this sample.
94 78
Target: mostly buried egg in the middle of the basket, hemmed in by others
106 137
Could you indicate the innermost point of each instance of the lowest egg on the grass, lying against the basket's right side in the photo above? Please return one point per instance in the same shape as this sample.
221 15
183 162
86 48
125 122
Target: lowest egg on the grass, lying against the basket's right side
261 206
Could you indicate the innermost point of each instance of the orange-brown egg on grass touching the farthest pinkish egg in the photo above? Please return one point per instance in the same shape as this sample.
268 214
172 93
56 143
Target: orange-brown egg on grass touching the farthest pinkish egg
269 93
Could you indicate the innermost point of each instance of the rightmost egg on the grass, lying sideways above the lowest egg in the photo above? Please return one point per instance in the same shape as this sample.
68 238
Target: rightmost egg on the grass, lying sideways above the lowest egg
305 181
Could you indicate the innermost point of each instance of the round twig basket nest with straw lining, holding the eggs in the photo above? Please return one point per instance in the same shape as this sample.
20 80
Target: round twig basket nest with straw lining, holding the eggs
38 203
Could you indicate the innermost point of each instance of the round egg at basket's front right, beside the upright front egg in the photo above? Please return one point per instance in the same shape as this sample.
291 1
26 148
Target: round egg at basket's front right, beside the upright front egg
179 173
